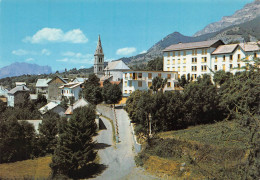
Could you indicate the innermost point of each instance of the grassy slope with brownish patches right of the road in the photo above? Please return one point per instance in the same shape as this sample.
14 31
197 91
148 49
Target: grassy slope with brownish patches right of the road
215 151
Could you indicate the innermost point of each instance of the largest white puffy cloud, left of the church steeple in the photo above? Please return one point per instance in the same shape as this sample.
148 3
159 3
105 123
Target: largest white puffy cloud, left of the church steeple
57 35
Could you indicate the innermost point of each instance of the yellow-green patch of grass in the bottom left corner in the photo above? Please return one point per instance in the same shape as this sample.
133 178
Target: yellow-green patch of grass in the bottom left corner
29 169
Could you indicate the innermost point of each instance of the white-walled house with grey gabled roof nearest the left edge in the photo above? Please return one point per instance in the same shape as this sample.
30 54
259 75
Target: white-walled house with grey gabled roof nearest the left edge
16 95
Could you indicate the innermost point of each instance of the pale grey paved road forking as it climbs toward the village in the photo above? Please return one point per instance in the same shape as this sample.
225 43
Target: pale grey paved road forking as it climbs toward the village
119 158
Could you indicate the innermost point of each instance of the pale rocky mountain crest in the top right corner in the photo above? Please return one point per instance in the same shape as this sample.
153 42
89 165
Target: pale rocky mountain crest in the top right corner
247 13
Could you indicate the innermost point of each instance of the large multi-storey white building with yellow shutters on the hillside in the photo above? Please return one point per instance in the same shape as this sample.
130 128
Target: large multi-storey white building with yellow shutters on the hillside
198 58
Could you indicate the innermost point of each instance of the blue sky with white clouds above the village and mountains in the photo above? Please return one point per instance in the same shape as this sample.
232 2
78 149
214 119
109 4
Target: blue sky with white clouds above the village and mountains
64 33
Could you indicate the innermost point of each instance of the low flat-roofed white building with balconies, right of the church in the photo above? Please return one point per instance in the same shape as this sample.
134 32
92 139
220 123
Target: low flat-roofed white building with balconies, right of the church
142 80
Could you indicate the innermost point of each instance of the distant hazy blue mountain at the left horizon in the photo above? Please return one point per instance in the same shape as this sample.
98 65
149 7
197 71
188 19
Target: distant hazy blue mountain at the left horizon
17 69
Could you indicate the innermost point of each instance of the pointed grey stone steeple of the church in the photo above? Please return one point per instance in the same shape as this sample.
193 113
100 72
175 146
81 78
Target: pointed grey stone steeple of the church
99 59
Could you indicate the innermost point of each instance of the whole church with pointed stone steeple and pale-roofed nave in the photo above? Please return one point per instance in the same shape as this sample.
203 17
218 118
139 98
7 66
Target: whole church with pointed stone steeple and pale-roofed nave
113 71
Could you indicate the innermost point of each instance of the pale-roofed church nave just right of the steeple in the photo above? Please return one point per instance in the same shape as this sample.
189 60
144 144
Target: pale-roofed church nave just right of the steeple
114 70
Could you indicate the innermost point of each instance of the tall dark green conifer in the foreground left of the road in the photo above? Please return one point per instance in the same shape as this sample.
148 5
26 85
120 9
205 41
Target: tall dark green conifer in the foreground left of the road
75 148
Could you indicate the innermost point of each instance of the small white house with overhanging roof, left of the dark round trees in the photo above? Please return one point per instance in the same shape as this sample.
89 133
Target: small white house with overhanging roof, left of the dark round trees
71 89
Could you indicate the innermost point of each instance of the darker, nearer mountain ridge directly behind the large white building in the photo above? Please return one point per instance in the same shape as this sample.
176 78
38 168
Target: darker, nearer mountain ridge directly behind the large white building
245 32
